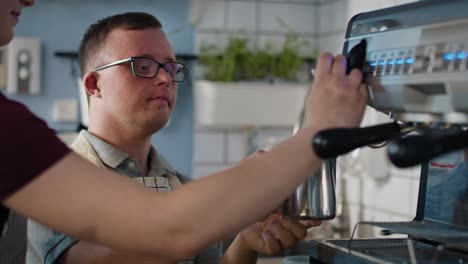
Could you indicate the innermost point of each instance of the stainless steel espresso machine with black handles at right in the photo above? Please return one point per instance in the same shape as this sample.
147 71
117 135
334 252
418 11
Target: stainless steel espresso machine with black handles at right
415 58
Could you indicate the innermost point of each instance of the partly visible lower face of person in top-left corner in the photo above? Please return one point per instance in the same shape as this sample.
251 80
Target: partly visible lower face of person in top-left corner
10 11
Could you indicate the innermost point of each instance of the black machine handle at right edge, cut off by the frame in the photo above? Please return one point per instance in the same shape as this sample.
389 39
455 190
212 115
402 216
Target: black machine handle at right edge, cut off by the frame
413 150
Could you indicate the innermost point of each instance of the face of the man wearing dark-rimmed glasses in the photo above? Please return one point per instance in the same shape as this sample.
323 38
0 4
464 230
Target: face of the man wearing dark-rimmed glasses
130 101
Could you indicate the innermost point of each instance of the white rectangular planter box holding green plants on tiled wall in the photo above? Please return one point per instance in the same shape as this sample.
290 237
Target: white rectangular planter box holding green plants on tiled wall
248 104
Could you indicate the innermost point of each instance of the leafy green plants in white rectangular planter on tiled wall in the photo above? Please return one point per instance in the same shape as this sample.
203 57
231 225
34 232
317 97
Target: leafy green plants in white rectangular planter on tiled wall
249 87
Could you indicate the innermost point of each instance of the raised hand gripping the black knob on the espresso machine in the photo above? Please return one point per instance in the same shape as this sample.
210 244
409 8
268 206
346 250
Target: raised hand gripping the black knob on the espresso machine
335 99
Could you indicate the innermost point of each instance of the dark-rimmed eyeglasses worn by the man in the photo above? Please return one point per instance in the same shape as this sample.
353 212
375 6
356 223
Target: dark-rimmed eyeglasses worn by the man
144 67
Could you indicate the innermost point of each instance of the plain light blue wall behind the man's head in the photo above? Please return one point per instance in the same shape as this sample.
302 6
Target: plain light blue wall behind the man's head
61 24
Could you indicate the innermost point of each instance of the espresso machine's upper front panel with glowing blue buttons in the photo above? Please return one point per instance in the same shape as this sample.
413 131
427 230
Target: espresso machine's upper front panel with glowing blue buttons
418 73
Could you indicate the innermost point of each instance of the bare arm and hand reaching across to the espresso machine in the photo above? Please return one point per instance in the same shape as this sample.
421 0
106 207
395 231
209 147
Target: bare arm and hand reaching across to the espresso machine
75 197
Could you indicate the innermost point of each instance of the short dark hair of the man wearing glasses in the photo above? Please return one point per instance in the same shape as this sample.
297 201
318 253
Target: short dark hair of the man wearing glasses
98 32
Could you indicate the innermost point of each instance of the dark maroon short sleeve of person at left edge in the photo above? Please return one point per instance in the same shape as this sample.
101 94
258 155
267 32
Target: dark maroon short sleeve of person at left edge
27 146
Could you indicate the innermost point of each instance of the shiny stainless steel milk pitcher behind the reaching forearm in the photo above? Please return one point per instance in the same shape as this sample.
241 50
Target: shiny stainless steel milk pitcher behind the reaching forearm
315 198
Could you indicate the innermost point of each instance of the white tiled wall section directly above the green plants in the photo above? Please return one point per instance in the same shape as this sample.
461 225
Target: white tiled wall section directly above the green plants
259 19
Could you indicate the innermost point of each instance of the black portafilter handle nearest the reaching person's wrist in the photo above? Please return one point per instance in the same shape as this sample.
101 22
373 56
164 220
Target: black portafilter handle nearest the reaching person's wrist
331 143
